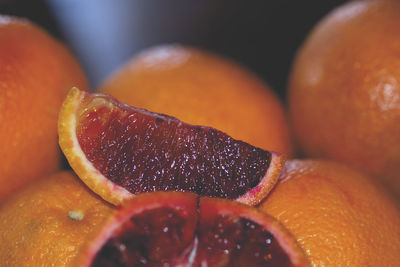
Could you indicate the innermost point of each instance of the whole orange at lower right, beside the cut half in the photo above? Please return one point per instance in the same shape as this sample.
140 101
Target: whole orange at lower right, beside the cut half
338 215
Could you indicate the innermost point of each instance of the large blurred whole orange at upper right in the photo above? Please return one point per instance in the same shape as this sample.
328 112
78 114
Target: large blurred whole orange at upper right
344 90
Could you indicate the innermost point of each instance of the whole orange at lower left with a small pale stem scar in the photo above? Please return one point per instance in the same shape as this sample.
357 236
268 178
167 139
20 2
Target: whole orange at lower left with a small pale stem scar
34 222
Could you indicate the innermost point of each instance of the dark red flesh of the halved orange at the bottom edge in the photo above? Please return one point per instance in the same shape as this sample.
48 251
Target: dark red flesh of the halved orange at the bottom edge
204 233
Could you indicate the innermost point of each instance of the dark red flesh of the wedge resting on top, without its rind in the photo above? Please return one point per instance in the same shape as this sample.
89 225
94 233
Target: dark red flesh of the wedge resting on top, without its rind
144 152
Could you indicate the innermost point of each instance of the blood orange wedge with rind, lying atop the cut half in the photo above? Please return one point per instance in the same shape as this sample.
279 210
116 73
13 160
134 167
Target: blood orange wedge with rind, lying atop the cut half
120 151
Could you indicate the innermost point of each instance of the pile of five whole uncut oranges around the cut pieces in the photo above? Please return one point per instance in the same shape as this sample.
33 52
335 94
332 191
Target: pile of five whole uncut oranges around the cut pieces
343 111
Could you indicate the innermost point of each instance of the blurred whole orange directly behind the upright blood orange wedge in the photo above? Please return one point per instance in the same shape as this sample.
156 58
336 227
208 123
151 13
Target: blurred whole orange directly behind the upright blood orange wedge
203 89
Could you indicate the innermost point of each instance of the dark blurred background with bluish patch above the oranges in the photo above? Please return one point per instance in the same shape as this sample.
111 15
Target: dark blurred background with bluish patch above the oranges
104 34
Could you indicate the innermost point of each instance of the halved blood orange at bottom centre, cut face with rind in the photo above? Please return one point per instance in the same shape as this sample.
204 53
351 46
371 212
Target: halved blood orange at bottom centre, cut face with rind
181 229
